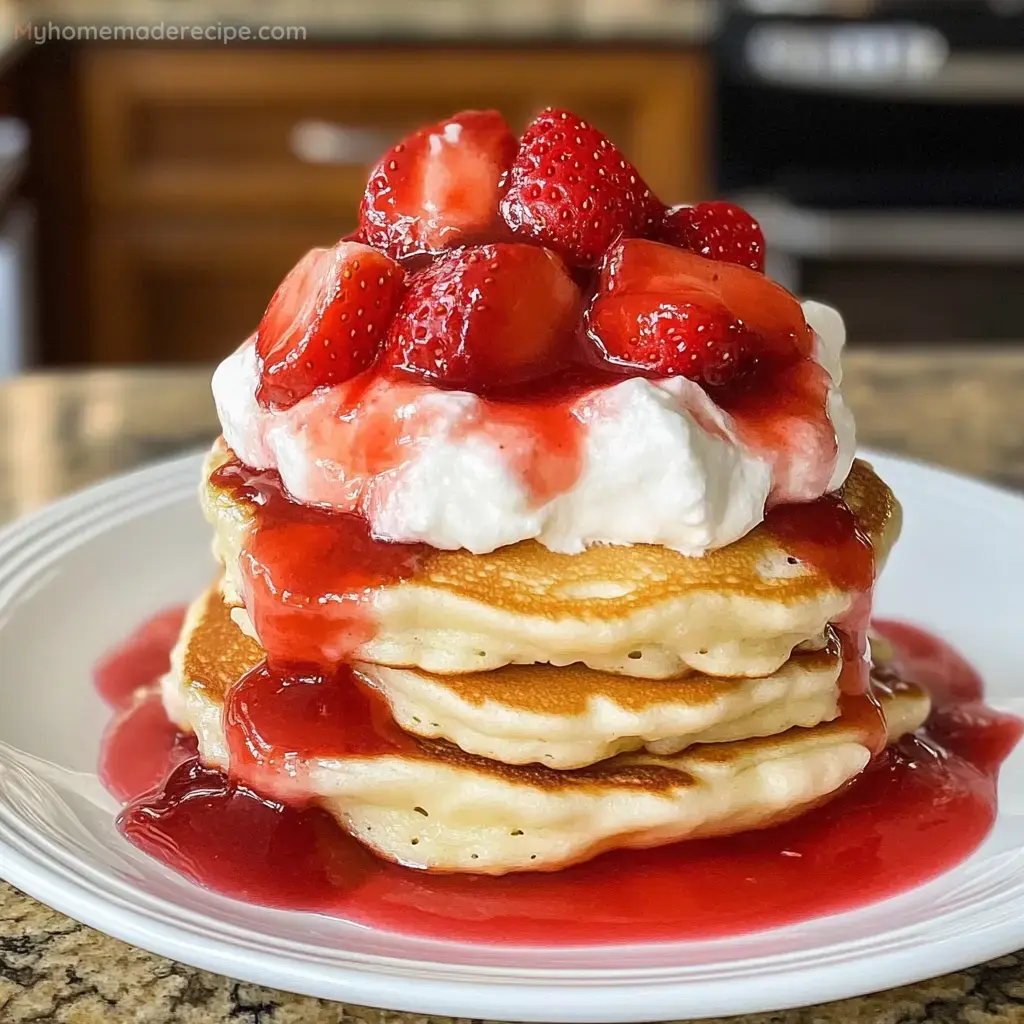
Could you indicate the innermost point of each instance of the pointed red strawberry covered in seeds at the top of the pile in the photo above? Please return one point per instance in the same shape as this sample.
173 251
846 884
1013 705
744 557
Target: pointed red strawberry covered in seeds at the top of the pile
573 190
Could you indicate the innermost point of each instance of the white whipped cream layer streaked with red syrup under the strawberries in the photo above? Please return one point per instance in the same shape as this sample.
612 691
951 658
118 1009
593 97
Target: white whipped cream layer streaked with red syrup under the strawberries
635 462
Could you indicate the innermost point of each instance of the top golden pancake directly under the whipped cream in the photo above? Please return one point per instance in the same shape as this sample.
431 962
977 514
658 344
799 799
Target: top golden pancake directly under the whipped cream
642 611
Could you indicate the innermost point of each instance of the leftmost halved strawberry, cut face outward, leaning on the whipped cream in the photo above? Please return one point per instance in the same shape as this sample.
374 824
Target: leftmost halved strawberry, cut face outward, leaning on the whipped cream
326 322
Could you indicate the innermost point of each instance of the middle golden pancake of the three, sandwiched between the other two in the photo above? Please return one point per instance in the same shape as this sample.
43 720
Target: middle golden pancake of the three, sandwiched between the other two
575 716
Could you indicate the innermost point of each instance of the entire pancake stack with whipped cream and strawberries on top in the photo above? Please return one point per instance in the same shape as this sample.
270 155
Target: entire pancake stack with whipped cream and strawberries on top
536 521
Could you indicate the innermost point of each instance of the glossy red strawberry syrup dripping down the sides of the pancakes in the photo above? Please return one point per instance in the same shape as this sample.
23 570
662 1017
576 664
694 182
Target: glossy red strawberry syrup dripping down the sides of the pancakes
308 573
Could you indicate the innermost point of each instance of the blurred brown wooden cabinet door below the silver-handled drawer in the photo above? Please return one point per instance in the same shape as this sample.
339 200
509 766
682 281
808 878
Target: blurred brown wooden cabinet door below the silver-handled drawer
184 290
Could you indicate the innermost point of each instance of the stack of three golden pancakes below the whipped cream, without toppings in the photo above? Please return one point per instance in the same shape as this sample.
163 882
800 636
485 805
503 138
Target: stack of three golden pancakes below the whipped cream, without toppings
525 710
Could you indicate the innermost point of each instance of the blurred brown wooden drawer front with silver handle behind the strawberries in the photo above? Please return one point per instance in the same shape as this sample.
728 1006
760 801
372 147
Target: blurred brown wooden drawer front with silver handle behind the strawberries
293 131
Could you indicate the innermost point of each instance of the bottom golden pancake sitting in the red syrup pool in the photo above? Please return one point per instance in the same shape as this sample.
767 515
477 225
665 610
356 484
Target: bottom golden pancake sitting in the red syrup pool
431 805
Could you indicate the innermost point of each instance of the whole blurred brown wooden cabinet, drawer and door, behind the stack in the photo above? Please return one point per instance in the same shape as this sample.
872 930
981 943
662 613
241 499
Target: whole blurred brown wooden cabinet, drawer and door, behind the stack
206 174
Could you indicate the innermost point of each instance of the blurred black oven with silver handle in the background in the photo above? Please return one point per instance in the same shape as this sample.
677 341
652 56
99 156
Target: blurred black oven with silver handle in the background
882 145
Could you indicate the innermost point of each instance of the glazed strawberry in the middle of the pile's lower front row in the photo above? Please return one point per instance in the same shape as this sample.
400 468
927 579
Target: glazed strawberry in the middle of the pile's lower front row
487 317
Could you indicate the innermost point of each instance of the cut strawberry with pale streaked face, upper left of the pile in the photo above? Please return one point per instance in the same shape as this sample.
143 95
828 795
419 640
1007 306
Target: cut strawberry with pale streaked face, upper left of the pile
439 188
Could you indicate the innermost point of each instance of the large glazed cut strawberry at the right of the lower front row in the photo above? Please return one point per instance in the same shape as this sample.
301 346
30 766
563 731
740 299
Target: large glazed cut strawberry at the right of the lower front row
672 313
